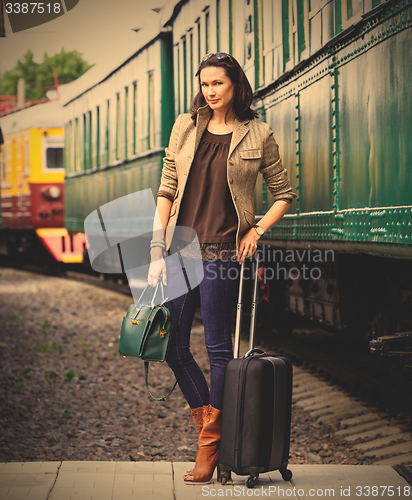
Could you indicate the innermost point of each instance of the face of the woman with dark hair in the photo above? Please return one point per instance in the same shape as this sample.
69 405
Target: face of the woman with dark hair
217 88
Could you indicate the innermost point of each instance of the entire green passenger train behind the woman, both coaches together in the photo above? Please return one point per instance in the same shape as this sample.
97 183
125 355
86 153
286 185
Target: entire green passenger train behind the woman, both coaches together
332 77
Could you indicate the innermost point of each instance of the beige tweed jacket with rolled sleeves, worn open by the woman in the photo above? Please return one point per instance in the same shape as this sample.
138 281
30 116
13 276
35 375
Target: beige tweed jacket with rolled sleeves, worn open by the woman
253 149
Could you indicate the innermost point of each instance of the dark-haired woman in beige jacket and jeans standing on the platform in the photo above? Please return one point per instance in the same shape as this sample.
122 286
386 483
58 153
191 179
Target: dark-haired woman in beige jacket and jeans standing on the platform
223 148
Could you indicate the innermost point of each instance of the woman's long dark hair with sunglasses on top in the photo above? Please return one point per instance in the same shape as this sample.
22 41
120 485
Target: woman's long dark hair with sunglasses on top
243 94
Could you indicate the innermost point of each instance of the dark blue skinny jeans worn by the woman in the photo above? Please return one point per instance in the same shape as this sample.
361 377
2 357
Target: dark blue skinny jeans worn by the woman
218 291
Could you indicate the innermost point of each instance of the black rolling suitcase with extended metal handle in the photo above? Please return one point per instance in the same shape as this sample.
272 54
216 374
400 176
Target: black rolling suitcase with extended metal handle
256 413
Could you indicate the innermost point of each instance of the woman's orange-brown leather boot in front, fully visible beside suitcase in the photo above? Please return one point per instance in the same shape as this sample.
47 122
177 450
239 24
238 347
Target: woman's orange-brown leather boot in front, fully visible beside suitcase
208 453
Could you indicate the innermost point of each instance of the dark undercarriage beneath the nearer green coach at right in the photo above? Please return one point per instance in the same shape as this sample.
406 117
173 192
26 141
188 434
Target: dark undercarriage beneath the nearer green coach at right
365 298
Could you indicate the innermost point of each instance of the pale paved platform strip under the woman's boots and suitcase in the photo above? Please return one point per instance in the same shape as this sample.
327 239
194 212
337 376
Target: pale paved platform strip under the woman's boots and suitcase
163 481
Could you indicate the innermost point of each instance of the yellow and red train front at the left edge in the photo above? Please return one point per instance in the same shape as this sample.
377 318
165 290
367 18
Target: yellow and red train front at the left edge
32 186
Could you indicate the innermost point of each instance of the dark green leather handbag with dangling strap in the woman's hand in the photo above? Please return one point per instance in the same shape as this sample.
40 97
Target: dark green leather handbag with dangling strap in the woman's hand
146 333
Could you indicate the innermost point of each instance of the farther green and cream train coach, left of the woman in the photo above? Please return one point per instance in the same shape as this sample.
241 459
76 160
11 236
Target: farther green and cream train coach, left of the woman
117 123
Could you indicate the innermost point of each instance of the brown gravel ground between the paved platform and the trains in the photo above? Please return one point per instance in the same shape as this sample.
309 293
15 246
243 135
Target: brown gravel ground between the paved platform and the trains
66 393
